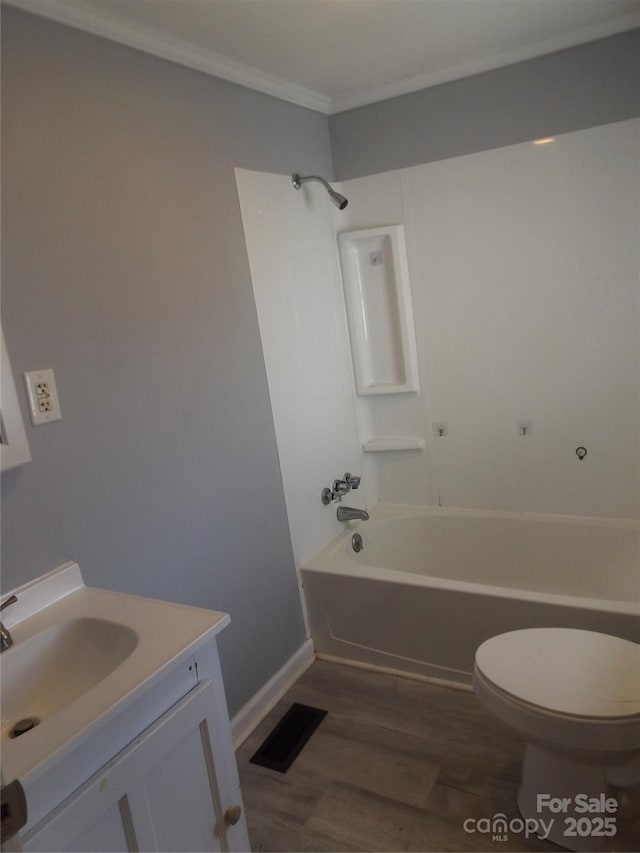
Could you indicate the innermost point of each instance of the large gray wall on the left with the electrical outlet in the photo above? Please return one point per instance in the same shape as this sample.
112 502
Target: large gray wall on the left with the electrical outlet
124 269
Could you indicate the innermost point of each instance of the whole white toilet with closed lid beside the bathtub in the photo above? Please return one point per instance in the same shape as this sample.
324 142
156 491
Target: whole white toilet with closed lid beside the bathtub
574 696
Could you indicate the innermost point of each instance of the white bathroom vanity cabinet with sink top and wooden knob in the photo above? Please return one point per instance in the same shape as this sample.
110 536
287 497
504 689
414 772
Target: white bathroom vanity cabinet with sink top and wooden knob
114 720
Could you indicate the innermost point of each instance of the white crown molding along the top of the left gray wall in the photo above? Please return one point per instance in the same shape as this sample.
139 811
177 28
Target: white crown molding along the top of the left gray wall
132 34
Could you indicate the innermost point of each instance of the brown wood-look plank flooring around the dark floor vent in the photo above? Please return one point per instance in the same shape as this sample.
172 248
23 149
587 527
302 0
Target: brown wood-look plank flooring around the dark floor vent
397 764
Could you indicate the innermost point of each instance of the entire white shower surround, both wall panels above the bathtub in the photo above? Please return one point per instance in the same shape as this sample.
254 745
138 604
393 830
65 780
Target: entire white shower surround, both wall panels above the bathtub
523 266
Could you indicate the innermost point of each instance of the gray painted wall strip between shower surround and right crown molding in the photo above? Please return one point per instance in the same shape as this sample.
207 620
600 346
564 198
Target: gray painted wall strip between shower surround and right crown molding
584 86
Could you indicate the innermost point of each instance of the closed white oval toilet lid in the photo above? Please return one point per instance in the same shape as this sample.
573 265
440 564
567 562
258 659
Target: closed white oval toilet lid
567 671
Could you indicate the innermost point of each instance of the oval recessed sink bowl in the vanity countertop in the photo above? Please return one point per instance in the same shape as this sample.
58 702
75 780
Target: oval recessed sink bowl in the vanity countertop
52 669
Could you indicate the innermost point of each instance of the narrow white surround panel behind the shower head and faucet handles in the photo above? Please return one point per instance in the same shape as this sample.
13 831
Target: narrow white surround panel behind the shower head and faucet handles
298 293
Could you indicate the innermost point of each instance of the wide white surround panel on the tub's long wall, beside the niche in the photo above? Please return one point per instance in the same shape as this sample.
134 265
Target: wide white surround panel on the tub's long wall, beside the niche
524 269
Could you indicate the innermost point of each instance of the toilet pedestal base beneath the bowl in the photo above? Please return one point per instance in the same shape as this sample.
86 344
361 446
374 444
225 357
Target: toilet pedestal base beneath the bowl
563 778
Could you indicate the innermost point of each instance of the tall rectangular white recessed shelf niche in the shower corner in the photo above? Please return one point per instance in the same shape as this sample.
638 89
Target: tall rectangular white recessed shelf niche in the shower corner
375 276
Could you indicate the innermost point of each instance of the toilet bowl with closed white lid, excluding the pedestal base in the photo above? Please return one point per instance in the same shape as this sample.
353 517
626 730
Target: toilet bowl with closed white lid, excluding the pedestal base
538 681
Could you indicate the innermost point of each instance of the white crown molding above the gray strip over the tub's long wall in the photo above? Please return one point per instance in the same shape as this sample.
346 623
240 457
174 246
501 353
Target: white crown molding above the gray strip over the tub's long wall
425 80
